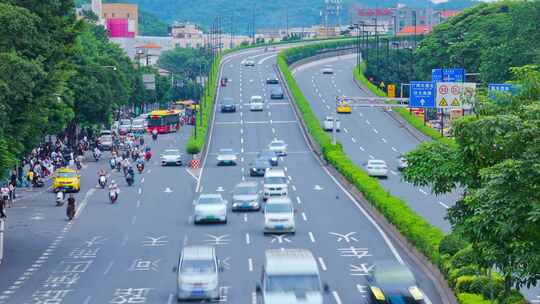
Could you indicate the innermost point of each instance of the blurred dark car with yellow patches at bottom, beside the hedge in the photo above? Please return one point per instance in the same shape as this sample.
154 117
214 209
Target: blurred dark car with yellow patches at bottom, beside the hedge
392 282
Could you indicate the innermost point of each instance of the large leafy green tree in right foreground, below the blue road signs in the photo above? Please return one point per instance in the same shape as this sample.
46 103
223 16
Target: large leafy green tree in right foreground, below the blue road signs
494 160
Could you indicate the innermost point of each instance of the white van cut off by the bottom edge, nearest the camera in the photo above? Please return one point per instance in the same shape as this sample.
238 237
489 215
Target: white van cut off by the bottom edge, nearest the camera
291 276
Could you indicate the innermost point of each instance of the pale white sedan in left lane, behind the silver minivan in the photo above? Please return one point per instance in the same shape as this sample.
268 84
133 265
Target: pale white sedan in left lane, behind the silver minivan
210 208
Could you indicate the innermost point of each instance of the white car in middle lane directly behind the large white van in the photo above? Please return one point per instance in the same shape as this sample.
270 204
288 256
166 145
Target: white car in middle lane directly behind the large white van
279 216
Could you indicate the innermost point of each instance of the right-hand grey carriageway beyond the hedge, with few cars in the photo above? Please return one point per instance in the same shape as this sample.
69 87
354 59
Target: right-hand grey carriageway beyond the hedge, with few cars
369 133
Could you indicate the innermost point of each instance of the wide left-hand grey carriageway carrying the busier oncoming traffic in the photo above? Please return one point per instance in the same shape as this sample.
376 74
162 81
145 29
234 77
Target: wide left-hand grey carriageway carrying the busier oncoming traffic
125 253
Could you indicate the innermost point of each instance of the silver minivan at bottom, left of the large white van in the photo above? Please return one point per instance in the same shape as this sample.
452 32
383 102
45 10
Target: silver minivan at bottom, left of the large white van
198 277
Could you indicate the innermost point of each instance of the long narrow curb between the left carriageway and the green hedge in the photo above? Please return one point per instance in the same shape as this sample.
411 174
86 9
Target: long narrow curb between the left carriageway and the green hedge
434 274
